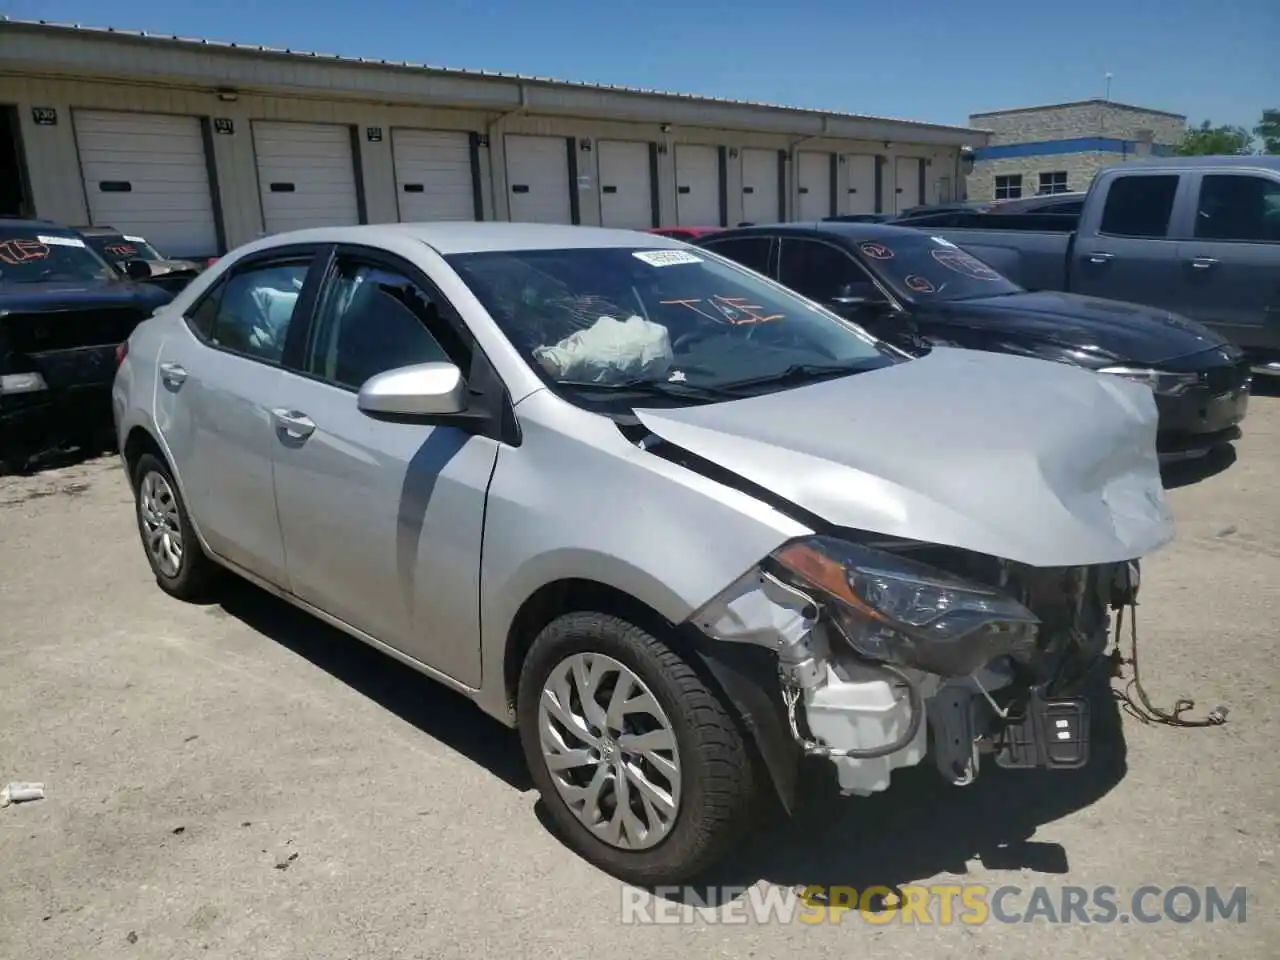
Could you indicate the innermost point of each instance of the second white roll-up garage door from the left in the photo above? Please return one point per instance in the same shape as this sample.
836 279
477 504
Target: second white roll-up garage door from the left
305 176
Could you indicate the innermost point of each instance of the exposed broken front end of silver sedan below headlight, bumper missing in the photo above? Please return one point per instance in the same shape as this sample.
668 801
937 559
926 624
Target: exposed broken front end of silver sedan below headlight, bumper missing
868 719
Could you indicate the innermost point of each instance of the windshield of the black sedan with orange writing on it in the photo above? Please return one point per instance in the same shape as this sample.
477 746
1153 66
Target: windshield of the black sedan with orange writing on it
924 269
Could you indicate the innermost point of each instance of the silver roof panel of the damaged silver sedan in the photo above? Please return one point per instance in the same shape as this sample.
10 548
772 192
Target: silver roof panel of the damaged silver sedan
479 237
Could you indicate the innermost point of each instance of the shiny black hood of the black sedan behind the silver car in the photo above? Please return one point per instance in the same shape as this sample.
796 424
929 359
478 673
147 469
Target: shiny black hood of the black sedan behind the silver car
1116 331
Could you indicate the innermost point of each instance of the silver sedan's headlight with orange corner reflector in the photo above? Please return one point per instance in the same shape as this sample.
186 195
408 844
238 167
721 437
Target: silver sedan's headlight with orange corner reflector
899 611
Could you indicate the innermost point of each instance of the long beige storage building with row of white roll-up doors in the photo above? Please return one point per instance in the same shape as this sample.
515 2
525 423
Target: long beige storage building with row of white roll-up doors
202 147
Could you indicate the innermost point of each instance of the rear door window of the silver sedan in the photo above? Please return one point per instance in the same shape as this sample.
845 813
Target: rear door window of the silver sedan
250 312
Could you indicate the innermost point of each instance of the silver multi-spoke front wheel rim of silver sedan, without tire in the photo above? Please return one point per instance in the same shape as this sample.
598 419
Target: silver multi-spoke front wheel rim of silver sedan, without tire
611 751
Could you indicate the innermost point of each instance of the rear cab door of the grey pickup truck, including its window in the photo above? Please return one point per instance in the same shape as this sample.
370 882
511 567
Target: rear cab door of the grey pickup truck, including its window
1126 249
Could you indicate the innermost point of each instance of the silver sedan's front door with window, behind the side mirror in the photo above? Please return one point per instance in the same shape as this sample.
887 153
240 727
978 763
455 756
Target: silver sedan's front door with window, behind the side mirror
383 522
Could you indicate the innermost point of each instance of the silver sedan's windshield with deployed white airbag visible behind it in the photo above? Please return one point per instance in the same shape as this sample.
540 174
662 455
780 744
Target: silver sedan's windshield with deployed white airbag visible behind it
634 327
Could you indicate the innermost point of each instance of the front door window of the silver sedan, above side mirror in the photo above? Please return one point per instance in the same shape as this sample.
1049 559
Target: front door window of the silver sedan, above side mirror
373 321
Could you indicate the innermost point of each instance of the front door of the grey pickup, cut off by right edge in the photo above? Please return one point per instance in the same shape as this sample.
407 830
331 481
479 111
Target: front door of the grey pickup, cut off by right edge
1229 262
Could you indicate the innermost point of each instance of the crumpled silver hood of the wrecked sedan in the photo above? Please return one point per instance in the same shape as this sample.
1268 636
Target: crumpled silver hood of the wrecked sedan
1027 460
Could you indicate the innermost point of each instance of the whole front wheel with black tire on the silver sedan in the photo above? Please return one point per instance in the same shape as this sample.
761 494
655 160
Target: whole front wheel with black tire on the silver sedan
642 769
